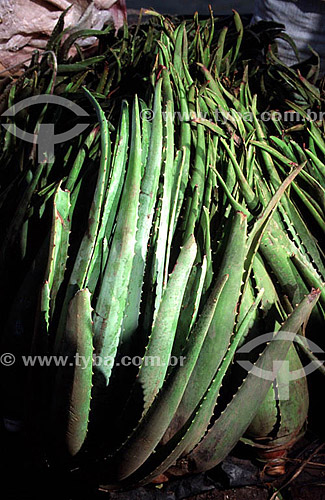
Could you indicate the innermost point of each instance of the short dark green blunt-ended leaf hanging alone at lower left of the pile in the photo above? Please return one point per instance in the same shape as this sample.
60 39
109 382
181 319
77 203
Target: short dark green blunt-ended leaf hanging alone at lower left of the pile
72 389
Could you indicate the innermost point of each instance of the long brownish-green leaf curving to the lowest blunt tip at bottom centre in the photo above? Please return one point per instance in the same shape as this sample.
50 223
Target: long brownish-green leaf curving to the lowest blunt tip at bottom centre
151 428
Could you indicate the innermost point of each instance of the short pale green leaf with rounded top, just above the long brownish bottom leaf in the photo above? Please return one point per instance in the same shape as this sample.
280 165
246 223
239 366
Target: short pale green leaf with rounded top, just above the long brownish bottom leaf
163 331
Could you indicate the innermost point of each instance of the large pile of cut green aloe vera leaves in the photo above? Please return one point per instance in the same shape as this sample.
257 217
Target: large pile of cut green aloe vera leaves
180 222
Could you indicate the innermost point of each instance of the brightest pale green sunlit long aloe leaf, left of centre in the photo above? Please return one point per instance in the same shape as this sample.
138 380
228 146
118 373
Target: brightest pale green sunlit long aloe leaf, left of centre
111 302
